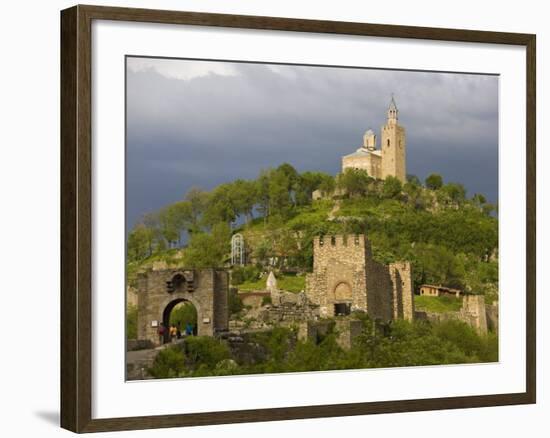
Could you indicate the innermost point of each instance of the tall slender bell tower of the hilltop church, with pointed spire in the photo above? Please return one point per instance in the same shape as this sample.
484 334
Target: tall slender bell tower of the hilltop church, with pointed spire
393 146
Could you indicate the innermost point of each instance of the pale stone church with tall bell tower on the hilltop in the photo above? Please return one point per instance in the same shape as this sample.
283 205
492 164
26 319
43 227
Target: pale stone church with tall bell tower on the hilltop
390 159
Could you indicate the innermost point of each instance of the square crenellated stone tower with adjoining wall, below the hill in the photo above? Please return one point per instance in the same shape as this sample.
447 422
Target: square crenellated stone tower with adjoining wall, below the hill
345 278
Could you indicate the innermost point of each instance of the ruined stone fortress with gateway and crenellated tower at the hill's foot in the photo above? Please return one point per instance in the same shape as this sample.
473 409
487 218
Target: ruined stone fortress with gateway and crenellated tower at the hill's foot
345 279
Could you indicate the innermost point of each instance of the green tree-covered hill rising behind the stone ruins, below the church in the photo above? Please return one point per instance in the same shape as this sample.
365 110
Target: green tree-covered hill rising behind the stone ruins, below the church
449 238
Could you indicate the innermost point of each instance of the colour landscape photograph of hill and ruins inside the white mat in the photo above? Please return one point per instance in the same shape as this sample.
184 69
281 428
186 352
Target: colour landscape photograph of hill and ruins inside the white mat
302 218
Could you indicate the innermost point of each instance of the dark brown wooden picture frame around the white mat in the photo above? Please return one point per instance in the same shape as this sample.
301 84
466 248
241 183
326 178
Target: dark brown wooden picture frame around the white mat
76 173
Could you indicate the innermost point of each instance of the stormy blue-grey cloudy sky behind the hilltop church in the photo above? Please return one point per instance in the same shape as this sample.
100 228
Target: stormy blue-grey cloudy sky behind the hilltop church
201 123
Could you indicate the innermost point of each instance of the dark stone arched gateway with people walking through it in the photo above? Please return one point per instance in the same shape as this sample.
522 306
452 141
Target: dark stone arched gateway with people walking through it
160 291
